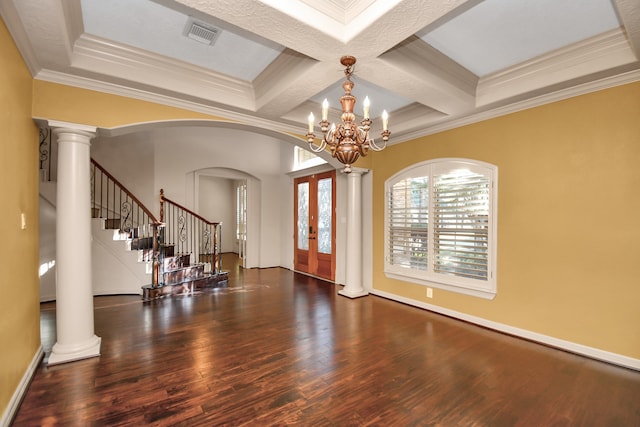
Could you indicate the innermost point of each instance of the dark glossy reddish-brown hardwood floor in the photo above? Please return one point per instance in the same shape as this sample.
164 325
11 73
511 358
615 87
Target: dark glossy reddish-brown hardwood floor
279 348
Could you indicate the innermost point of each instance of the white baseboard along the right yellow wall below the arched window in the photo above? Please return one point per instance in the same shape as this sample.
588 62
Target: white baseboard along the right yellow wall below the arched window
591 352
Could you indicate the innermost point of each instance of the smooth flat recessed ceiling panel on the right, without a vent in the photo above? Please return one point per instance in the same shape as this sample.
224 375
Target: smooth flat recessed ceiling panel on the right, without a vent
497 34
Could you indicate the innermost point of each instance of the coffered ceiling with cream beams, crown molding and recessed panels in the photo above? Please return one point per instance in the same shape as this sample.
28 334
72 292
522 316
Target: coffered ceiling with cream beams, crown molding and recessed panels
432 64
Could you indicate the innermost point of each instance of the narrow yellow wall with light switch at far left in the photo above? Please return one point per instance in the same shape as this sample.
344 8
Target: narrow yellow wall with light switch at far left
19 286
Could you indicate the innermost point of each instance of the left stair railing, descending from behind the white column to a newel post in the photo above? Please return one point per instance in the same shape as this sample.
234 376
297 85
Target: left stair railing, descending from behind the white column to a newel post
121 210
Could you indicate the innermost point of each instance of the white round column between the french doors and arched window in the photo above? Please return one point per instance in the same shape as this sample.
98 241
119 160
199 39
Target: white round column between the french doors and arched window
353 287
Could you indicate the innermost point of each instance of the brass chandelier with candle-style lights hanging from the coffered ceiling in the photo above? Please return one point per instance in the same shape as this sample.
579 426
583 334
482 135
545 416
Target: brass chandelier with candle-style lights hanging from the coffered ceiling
347 141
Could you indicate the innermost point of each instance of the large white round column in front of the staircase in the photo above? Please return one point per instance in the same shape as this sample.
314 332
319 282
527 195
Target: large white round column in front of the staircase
74 295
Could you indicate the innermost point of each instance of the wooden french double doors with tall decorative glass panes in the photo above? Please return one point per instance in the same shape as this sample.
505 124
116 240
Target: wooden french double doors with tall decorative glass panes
315 225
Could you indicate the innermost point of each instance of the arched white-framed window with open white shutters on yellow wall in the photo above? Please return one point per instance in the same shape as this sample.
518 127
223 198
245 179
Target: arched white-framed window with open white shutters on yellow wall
440 225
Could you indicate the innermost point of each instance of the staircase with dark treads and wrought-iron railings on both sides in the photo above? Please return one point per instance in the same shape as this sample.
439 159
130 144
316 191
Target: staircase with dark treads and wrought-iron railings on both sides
178 253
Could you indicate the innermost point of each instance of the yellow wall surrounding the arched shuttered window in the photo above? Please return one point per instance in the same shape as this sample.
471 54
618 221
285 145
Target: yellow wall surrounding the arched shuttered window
568 228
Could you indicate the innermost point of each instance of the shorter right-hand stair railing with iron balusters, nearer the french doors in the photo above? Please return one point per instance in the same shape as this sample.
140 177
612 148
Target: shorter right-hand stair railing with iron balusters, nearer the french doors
190 233
